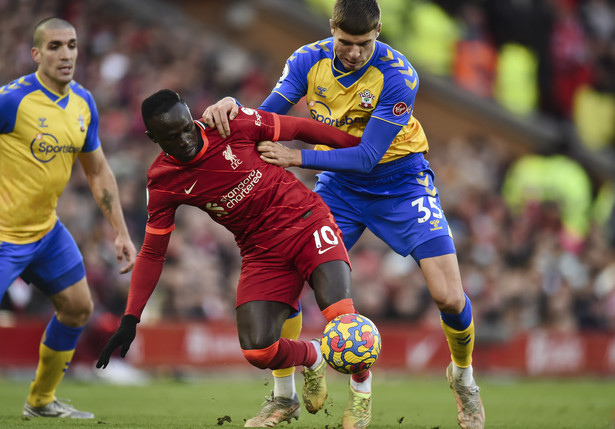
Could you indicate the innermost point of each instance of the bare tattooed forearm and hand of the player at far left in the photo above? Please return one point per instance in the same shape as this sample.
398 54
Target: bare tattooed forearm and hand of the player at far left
105 191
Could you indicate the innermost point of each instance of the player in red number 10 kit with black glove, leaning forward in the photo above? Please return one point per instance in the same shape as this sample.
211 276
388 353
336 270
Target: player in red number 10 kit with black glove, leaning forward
286 233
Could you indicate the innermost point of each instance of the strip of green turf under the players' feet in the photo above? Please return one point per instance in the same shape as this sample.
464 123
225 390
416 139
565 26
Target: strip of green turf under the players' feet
399 402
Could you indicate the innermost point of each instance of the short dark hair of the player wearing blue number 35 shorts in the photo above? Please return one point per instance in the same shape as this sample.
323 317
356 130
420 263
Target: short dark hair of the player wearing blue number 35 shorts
356 17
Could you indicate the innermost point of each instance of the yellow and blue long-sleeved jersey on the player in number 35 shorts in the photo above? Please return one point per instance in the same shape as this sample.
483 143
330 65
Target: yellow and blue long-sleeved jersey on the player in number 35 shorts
384 89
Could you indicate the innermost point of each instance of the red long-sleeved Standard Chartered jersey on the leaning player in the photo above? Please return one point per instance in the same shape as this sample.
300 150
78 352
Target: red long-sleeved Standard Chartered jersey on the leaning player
260 203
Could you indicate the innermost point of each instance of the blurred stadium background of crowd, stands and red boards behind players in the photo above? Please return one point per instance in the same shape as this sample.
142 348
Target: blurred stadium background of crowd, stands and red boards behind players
517 100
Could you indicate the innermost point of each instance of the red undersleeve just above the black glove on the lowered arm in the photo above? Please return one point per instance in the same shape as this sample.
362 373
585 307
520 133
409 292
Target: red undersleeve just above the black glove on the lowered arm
146 272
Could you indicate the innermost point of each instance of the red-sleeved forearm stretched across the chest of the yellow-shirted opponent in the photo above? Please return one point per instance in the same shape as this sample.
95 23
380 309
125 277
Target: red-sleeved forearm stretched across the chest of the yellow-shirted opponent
314 132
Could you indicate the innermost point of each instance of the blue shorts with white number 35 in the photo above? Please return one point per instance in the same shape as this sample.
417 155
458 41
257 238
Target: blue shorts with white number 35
397 201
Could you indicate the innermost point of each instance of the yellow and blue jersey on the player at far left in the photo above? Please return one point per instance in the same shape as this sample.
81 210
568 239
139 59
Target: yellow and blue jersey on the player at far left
41 134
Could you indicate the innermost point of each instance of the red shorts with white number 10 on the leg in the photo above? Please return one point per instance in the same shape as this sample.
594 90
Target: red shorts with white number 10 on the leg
279 273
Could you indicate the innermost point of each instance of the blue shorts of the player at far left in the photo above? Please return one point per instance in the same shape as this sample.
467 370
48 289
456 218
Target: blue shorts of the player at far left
52 263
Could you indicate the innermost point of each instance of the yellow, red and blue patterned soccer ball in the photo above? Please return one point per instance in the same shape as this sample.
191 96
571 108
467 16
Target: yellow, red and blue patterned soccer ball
350 343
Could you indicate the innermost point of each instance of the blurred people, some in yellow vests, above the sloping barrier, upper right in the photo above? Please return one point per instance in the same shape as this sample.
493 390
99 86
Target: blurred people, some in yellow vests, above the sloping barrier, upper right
537 58
